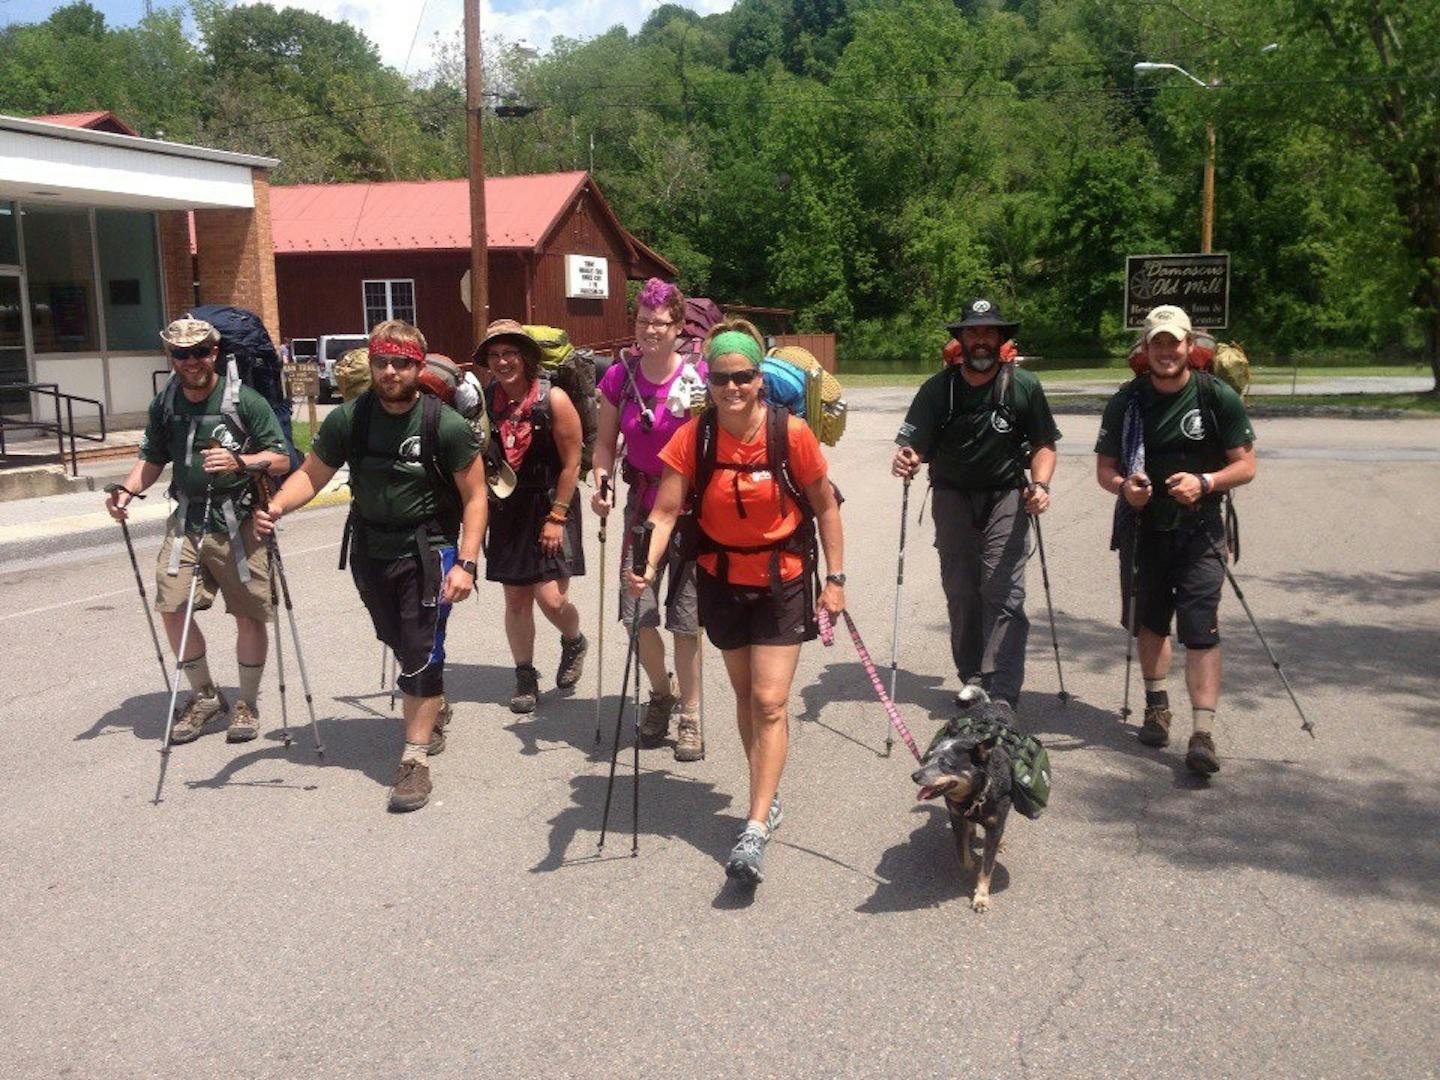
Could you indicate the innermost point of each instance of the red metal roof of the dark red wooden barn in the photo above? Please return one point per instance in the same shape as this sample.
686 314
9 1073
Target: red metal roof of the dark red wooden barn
428 215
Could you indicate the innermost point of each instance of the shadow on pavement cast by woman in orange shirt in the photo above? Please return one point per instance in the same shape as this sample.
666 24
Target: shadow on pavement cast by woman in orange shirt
670 809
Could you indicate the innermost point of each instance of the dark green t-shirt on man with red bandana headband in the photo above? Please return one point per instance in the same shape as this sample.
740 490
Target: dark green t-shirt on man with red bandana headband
392 492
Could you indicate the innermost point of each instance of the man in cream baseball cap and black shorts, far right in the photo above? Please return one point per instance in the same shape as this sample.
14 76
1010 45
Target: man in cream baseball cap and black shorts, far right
1171 443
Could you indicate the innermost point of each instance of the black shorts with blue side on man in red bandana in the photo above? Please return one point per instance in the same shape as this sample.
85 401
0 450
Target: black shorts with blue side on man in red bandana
405 618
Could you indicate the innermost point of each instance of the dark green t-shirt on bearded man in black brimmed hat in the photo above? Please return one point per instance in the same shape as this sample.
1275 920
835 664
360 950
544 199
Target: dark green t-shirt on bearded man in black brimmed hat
980 449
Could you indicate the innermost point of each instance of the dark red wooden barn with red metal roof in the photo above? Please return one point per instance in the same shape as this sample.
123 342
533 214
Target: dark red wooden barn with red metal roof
352 256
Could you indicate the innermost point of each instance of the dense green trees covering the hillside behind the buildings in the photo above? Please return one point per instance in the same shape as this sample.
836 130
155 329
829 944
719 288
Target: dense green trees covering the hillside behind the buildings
870 163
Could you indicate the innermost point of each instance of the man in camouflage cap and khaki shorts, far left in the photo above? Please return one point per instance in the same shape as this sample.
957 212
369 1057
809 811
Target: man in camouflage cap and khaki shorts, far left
210 430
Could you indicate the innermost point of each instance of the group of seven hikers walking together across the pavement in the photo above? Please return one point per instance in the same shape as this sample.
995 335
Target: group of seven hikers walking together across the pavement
737 503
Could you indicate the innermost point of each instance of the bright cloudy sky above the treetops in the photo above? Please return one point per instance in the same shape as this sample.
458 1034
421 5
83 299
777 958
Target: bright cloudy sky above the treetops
392 24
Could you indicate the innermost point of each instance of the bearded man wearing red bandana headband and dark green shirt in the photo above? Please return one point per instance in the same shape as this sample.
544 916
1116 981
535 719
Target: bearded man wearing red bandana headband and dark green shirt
415 529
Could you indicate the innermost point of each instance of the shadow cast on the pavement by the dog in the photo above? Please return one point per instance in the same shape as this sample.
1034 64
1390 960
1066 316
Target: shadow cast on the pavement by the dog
924 870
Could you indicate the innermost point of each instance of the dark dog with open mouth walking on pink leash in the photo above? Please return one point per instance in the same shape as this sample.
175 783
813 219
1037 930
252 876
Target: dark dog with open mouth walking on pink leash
974 778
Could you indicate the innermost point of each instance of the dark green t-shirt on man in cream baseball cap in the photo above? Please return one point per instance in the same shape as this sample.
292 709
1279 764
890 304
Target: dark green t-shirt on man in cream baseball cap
1177 438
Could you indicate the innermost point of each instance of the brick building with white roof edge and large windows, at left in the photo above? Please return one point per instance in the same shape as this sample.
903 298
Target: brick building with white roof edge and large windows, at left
96 251
